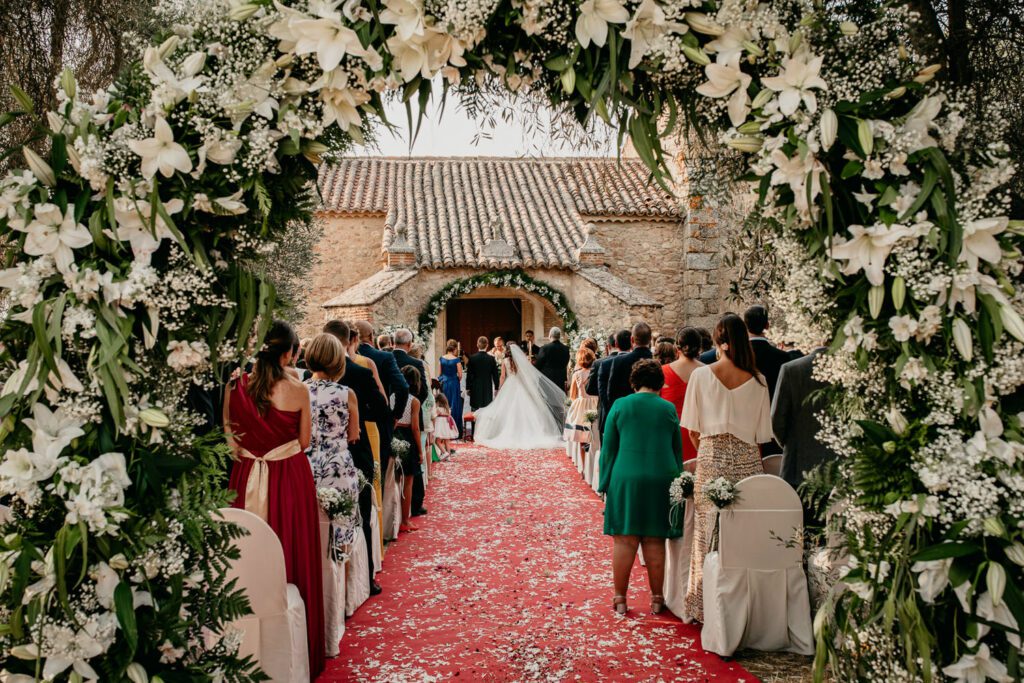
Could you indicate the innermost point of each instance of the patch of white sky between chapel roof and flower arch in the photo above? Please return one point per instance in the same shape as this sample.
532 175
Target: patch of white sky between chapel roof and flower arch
456 135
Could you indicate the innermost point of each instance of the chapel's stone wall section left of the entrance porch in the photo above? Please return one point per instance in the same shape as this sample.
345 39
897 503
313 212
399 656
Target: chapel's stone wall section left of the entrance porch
350 252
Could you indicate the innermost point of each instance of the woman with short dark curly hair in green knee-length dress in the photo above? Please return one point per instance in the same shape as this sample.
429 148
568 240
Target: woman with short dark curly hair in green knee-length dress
642 454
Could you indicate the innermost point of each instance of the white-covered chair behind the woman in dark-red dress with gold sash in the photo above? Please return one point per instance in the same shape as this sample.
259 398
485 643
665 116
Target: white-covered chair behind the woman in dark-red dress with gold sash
276 632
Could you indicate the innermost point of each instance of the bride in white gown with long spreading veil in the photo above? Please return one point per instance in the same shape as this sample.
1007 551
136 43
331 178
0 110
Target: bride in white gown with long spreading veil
529 411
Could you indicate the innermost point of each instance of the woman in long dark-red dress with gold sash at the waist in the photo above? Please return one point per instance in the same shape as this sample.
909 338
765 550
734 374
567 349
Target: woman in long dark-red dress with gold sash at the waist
267 419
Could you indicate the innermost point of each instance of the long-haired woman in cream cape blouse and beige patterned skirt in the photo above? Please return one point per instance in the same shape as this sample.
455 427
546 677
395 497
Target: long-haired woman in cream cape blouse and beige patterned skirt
729 414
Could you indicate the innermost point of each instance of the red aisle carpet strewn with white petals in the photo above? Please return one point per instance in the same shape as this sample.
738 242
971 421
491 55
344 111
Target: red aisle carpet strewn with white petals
509 579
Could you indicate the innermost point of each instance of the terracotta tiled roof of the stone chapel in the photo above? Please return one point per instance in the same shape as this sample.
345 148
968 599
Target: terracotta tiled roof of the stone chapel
451 209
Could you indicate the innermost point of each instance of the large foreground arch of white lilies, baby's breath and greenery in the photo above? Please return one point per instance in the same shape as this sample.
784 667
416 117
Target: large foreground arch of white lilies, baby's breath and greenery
132 284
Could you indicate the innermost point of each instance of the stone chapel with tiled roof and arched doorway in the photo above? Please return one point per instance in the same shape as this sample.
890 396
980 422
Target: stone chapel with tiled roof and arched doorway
618 247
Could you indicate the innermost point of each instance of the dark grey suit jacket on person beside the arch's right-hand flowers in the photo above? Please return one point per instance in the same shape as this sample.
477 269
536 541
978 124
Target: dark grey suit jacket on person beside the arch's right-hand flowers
794 419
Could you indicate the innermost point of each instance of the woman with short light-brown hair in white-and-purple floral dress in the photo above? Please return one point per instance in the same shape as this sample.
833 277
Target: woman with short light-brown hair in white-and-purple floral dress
335 424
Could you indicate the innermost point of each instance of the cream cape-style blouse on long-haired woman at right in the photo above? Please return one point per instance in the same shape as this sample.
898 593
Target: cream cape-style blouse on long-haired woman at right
712 409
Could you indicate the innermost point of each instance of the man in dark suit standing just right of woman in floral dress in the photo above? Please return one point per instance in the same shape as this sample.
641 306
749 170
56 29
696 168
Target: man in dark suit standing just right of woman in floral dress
373 408
